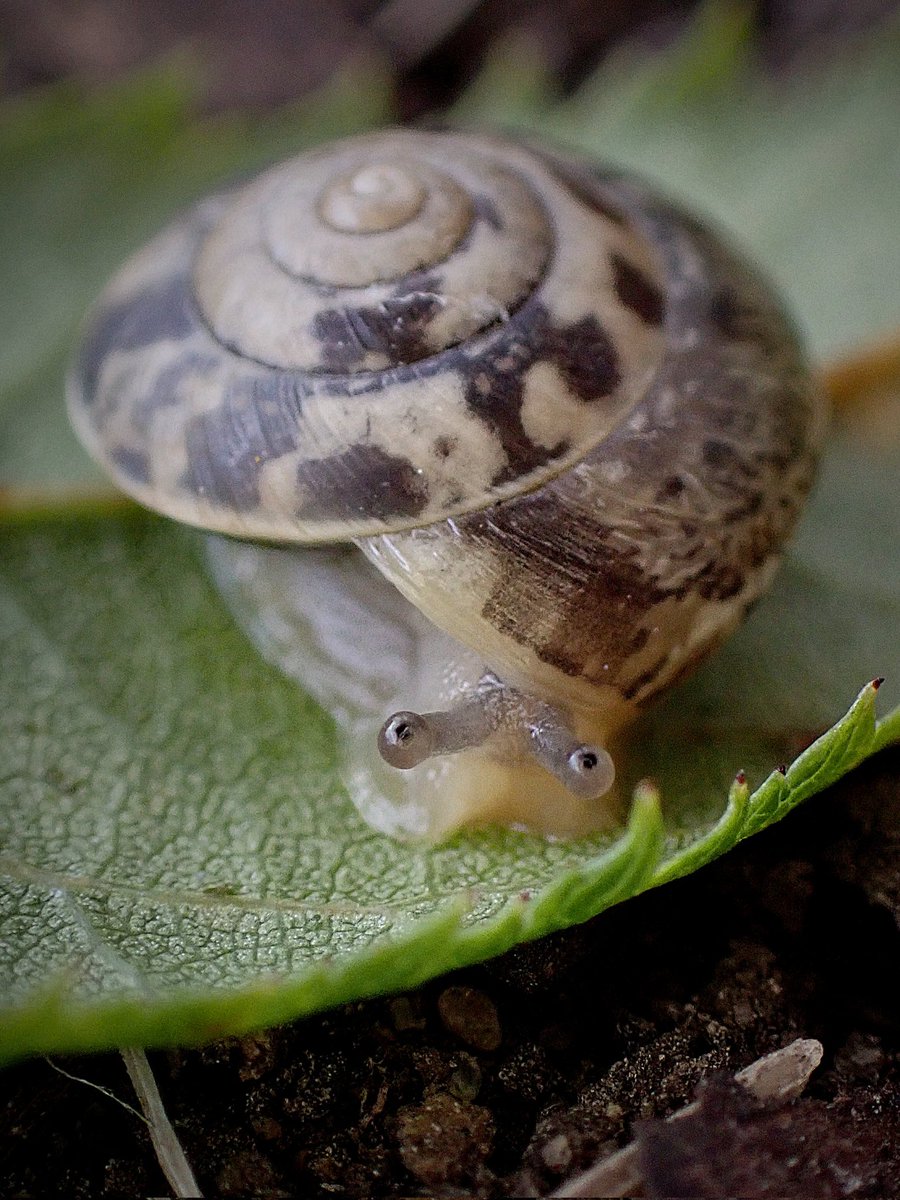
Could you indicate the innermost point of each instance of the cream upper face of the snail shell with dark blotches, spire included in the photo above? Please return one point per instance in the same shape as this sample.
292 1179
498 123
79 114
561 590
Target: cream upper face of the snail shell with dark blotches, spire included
374 337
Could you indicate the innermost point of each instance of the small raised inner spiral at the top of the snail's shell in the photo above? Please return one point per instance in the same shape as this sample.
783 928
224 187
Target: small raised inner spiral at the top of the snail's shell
365 226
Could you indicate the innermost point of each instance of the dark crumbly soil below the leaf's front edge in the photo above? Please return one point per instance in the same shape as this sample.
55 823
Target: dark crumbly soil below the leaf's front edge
508 1078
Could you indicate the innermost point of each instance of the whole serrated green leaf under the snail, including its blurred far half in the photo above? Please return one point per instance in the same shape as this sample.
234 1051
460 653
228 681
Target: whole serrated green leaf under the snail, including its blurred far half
178 857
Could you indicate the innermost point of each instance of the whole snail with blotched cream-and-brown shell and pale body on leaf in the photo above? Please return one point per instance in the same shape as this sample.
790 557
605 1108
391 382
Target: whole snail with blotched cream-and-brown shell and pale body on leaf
497 436
